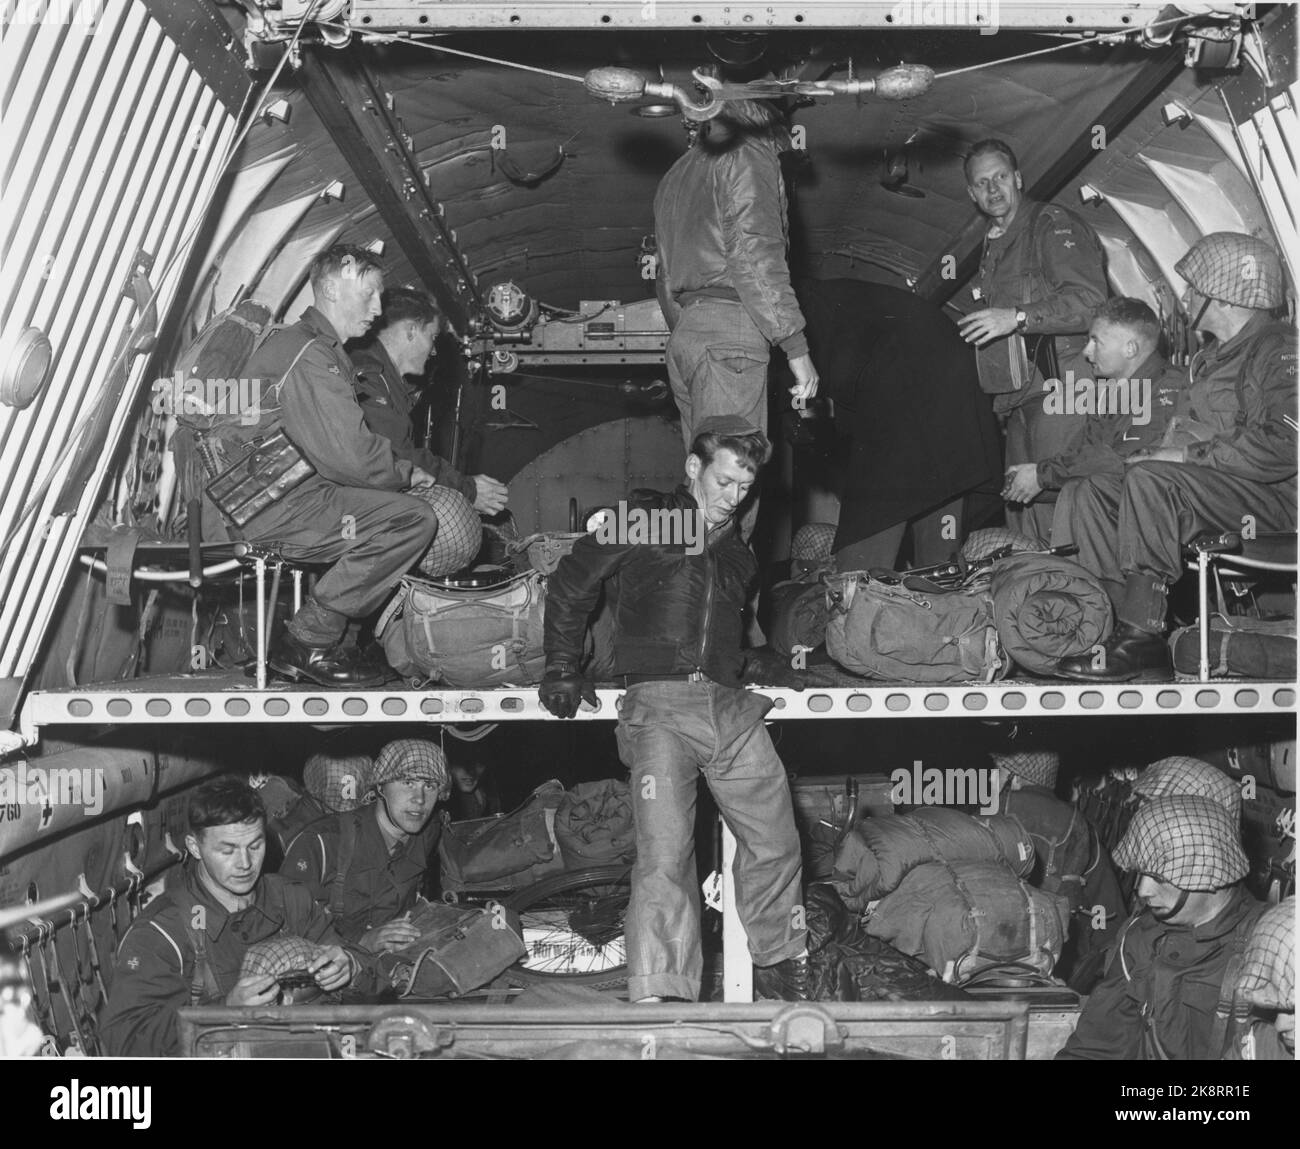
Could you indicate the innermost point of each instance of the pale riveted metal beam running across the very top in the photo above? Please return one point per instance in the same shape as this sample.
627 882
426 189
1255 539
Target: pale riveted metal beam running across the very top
986 16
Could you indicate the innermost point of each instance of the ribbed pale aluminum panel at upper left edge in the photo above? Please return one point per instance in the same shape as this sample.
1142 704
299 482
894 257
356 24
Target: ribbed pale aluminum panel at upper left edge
116 148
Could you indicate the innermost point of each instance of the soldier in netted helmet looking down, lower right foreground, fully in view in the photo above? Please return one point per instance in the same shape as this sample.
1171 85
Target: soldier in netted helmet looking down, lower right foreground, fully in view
1164 995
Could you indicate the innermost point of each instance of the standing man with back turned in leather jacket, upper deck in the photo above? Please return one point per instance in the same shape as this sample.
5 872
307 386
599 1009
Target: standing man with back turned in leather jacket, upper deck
723 280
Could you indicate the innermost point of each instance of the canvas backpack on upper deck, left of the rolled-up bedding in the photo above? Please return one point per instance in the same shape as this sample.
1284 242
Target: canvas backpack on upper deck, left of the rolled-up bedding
887 631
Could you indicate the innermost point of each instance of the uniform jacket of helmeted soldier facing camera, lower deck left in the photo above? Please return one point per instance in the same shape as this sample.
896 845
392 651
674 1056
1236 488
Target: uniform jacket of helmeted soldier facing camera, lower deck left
379 886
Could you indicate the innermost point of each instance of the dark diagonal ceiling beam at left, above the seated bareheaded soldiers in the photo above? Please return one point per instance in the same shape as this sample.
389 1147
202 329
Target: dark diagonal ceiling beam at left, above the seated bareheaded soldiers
361 118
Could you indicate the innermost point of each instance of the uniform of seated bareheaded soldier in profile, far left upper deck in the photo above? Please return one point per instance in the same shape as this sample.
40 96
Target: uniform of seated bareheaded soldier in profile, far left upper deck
350 514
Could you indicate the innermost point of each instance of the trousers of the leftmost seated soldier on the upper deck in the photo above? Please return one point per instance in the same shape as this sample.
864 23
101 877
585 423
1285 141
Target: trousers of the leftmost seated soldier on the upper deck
371 537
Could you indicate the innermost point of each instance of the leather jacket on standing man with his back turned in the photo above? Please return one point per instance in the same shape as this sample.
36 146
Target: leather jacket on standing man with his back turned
721 227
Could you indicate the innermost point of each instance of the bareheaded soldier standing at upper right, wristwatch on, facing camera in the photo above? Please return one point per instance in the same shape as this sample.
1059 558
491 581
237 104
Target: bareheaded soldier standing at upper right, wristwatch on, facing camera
1042 278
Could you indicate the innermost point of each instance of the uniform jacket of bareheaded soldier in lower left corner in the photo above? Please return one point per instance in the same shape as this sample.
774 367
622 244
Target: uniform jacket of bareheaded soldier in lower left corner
158 970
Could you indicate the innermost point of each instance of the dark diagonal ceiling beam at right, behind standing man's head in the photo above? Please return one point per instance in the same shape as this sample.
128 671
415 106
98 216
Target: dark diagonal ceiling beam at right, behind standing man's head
1137 96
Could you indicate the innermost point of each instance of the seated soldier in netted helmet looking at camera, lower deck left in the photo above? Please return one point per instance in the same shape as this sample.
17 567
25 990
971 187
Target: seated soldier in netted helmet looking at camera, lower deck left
367 866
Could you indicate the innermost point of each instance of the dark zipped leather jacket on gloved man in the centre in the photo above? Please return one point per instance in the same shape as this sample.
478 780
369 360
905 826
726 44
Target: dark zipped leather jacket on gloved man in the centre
674 613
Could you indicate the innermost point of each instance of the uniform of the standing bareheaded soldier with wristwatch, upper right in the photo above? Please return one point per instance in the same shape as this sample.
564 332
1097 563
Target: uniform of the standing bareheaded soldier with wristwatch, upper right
1051 266
